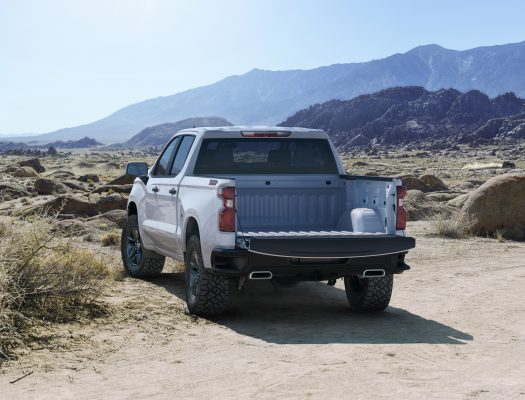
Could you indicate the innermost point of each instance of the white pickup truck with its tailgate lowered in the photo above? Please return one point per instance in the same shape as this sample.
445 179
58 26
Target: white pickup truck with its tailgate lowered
240 203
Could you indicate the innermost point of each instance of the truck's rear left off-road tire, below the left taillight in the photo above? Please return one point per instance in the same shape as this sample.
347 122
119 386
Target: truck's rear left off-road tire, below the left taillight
210 296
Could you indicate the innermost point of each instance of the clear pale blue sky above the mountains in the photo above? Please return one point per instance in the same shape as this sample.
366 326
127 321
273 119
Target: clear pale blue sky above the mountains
68 62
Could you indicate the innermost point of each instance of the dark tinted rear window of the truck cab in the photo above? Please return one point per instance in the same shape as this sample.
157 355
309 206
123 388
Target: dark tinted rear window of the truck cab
265 156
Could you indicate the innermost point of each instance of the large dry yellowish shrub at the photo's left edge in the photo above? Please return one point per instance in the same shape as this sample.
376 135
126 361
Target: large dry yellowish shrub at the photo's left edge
44 278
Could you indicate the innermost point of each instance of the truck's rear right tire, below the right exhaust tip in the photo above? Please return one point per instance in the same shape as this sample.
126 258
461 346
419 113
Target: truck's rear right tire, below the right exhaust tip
369 294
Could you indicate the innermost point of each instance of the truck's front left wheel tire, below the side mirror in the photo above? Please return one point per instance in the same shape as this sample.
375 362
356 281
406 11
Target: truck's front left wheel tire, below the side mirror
150 264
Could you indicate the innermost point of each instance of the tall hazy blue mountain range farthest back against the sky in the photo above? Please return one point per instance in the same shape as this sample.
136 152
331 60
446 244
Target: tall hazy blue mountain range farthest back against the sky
267 97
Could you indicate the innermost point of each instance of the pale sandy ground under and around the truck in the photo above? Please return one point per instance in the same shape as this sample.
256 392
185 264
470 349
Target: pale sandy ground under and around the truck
455 330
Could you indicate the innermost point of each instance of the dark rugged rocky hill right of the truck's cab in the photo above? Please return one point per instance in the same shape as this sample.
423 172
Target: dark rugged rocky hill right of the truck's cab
415 115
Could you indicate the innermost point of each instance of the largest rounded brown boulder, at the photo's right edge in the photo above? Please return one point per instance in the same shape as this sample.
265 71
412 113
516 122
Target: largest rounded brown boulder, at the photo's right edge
497 204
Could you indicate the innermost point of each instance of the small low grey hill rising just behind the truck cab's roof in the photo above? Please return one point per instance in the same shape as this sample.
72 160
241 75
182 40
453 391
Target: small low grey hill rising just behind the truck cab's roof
158 135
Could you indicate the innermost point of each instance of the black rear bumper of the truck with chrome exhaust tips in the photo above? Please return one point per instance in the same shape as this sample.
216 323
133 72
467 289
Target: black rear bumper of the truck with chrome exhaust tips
238 262
